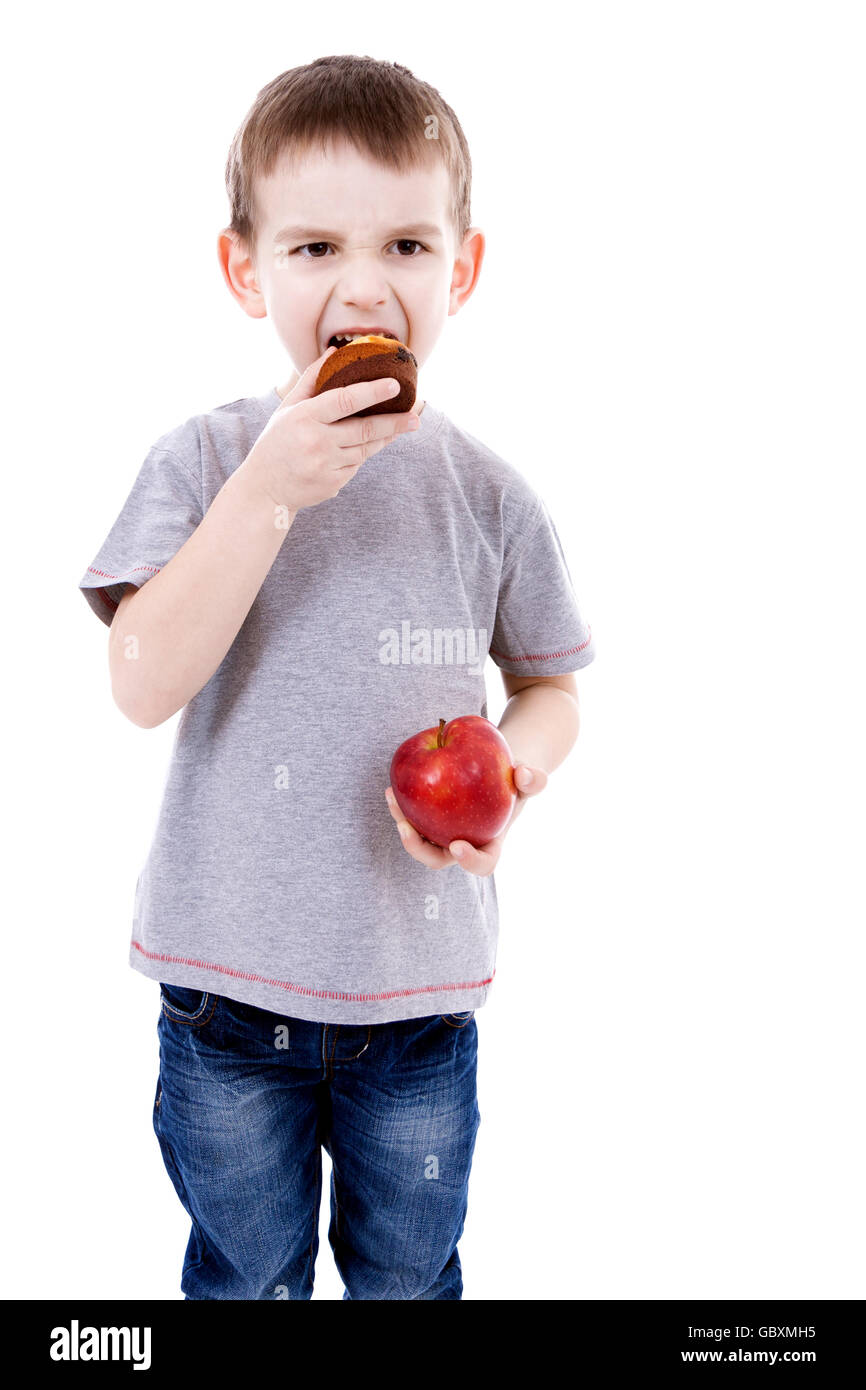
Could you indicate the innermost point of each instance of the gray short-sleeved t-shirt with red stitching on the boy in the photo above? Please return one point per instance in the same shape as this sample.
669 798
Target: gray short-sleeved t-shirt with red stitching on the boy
277 875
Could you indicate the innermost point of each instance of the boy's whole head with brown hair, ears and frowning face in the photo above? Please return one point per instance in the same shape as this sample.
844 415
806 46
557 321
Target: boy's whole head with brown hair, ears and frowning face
350 187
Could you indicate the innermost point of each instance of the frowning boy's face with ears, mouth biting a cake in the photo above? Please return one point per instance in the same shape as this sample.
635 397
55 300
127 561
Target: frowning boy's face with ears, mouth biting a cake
368 248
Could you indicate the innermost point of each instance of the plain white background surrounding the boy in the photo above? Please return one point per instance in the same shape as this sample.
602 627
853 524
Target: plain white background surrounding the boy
668 341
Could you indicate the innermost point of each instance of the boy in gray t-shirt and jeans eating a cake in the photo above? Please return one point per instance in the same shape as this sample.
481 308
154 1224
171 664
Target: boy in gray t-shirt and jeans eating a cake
312 589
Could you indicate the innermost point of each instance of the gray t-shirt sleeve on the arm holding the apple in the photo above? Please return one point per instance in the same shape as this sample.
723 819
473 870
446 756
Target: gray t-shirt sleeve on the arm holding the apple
540 629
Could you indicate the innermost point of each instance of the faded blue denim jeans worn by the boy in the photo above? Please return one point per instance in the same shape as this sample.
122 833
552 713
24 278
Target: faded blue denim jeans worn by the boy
244 1102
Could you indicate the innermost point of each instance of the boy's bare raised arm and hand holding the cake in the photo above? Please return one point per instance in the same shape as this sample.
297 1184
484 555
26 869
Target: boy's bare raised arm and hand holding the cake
172 636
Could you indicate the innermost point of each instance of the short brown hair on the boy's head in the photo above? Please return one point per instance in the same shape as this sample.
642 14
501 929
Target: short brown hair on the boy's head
380 108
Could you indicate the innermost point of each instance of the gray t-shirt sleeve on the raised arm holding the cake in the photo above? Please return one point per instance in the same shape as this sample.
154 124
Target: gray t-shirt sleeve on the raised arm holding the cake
159 516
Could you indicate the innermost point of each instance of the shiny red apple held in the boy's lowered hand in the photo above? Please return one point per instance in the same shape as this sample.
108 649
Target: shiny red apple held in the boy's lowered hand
455 782
